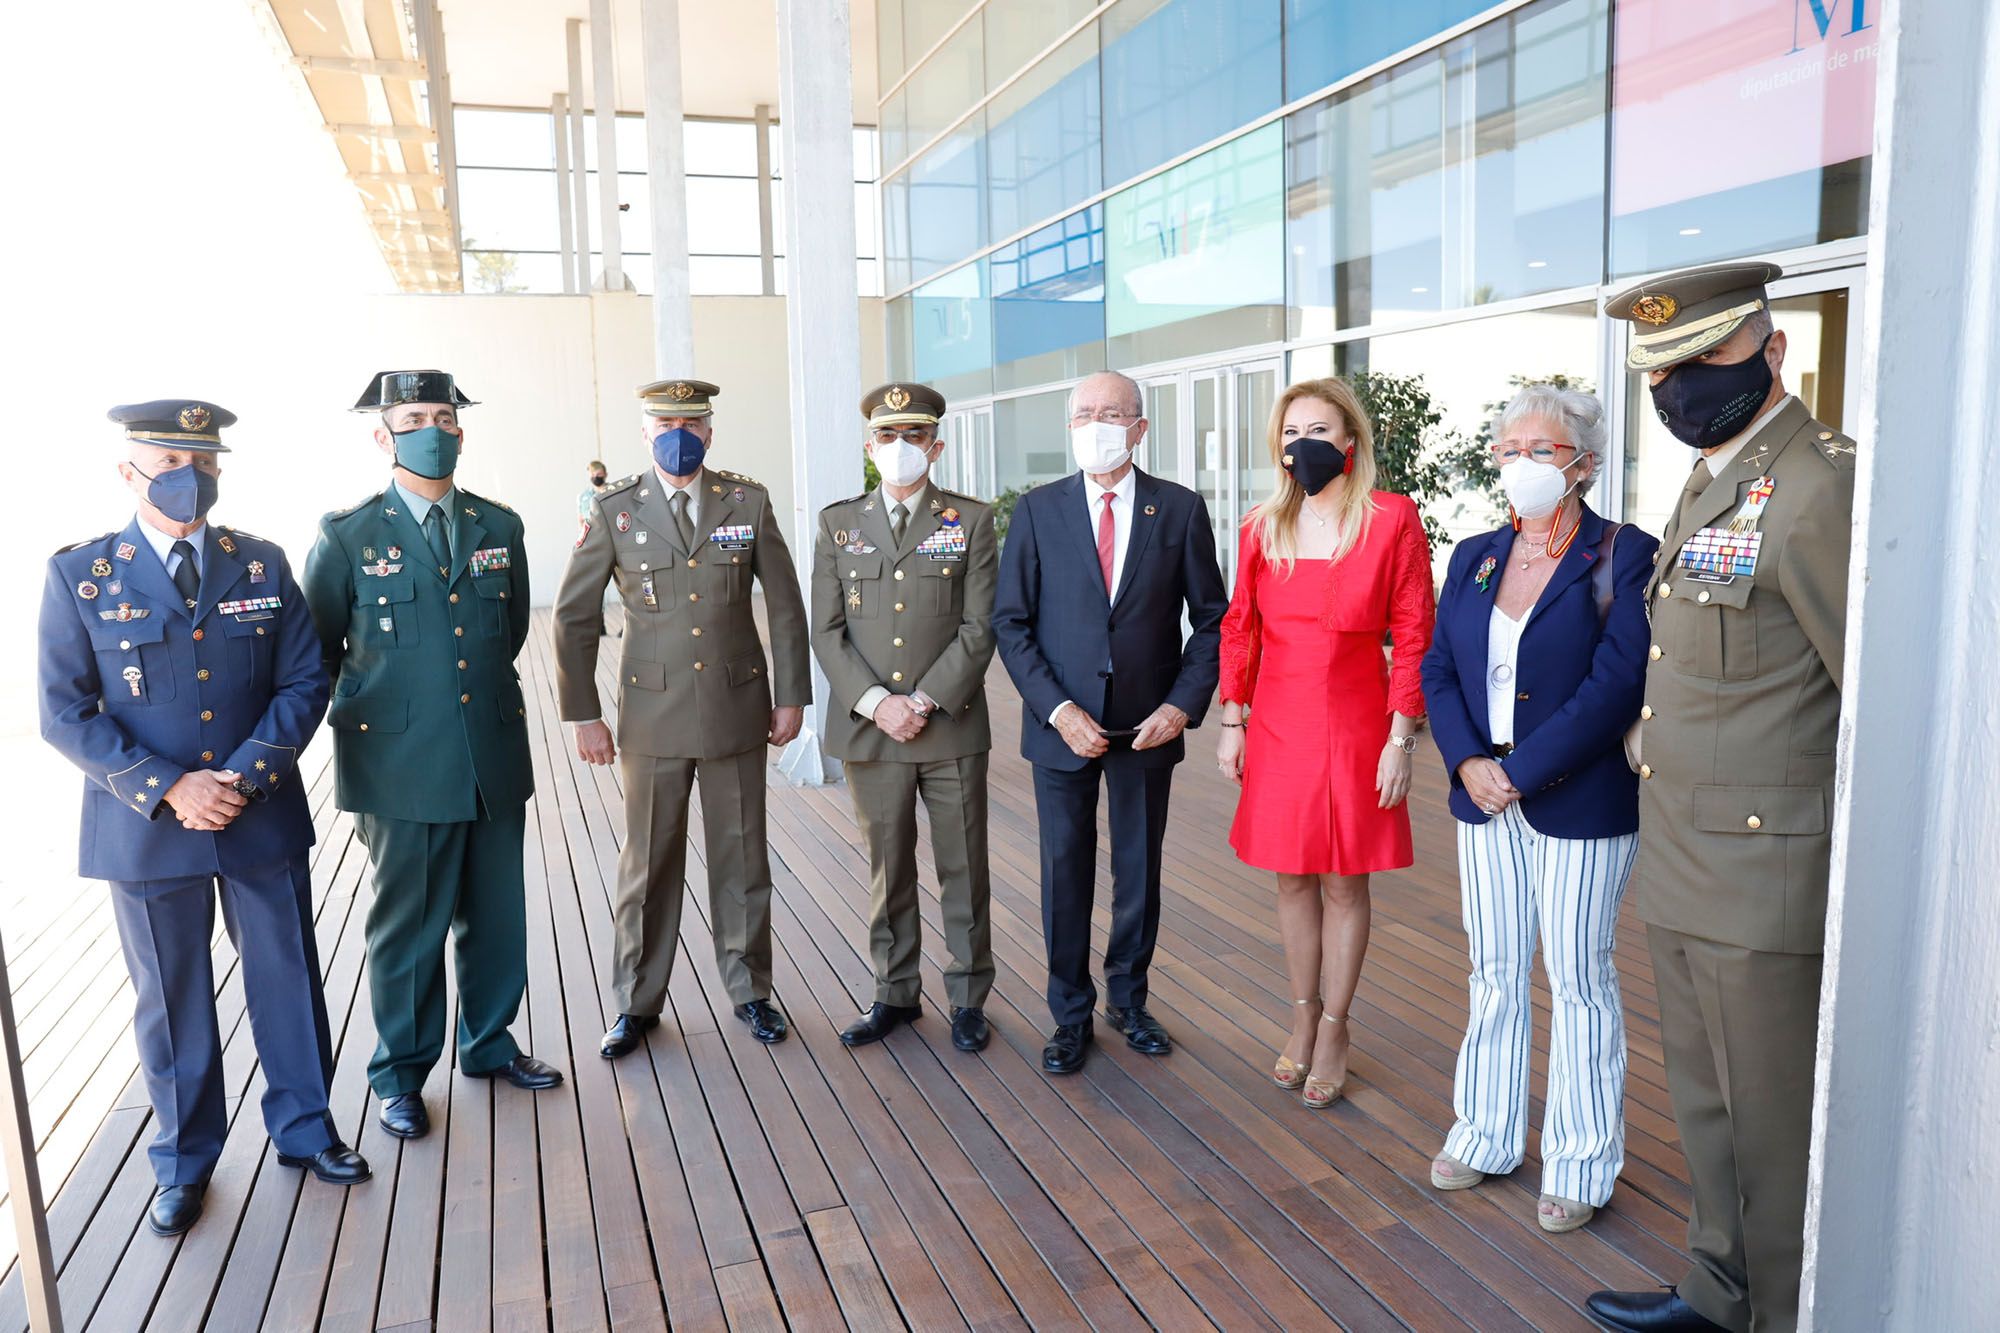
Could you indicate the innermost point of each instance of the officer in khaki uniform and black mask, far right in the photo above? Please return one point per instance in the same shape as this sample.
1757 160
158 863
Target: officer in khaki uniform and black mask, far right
1743 706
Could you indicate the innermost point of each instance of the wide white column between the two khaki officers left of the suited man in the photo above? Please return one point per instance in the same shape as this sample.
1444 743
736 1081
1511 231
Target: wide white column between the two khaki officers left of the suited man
821 309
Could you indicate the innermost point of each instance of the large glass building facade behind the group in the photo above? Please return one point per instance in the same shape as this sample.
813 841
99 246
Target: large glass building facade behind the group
1221 195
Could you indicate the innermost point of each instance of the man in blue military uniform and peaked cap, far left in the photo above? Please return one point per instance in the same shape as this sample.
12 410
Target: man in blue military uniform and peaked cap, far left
181 674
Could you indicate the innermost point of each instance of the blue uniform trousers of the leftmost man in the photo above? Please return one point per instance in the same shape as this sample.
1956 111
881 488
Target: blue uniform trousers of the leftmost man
165 928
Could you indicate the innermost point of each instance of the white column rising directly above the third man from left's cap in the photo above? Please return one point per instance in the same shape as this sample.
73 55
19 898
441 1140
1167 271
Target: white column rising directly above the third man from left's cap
667 185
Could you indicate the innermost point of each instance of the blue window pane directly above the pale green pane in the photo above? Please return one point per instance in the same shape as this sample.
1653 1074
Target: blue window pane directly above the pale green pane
1181 73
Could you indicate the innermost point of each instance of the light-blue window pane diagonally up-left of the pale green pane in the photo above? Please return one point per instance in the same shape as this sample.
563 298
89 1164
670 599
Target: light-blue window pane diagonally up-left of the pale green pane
1045 139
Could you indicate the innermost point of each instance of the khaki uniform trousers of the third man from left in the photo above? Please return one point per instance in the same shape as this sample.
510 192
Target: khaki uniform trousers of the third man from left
653 876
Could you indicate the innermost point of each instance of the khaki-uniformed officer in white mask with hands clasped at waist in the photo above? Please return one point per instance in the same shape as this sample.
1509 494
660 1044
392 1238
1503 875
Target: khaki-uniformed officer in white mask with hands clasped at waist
903 597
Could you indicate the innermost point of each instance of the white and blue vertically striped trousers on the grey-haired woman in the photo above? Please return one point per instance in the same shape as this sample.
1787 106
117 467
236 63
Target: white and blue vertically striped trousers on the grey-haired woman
1515 882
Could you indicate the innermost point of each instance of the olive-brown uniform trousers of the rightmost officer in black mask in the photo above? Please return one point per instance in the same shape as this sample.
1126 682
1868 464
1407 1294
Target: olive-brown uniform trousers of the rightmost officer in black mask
1739 1030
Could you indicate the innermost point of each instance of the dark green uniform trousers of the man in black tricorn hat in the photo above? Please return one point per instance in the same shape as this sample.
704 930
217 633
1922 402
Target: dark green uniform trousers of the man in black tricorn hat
433 880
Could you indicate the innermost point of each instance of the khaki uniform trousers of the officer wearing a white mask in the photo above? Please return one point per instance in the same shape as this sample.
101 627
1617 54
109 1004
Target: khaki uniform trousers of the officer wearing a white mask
885 808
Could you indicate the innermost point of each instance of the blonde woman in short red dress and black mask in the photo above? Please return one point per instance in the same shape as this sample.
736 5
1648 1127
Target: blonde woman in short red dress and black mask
1327 565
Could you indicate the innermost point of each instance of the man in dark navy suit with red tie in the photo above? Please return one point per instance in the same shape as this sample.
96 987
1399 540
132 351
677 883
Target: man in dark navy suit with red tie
1093 583
